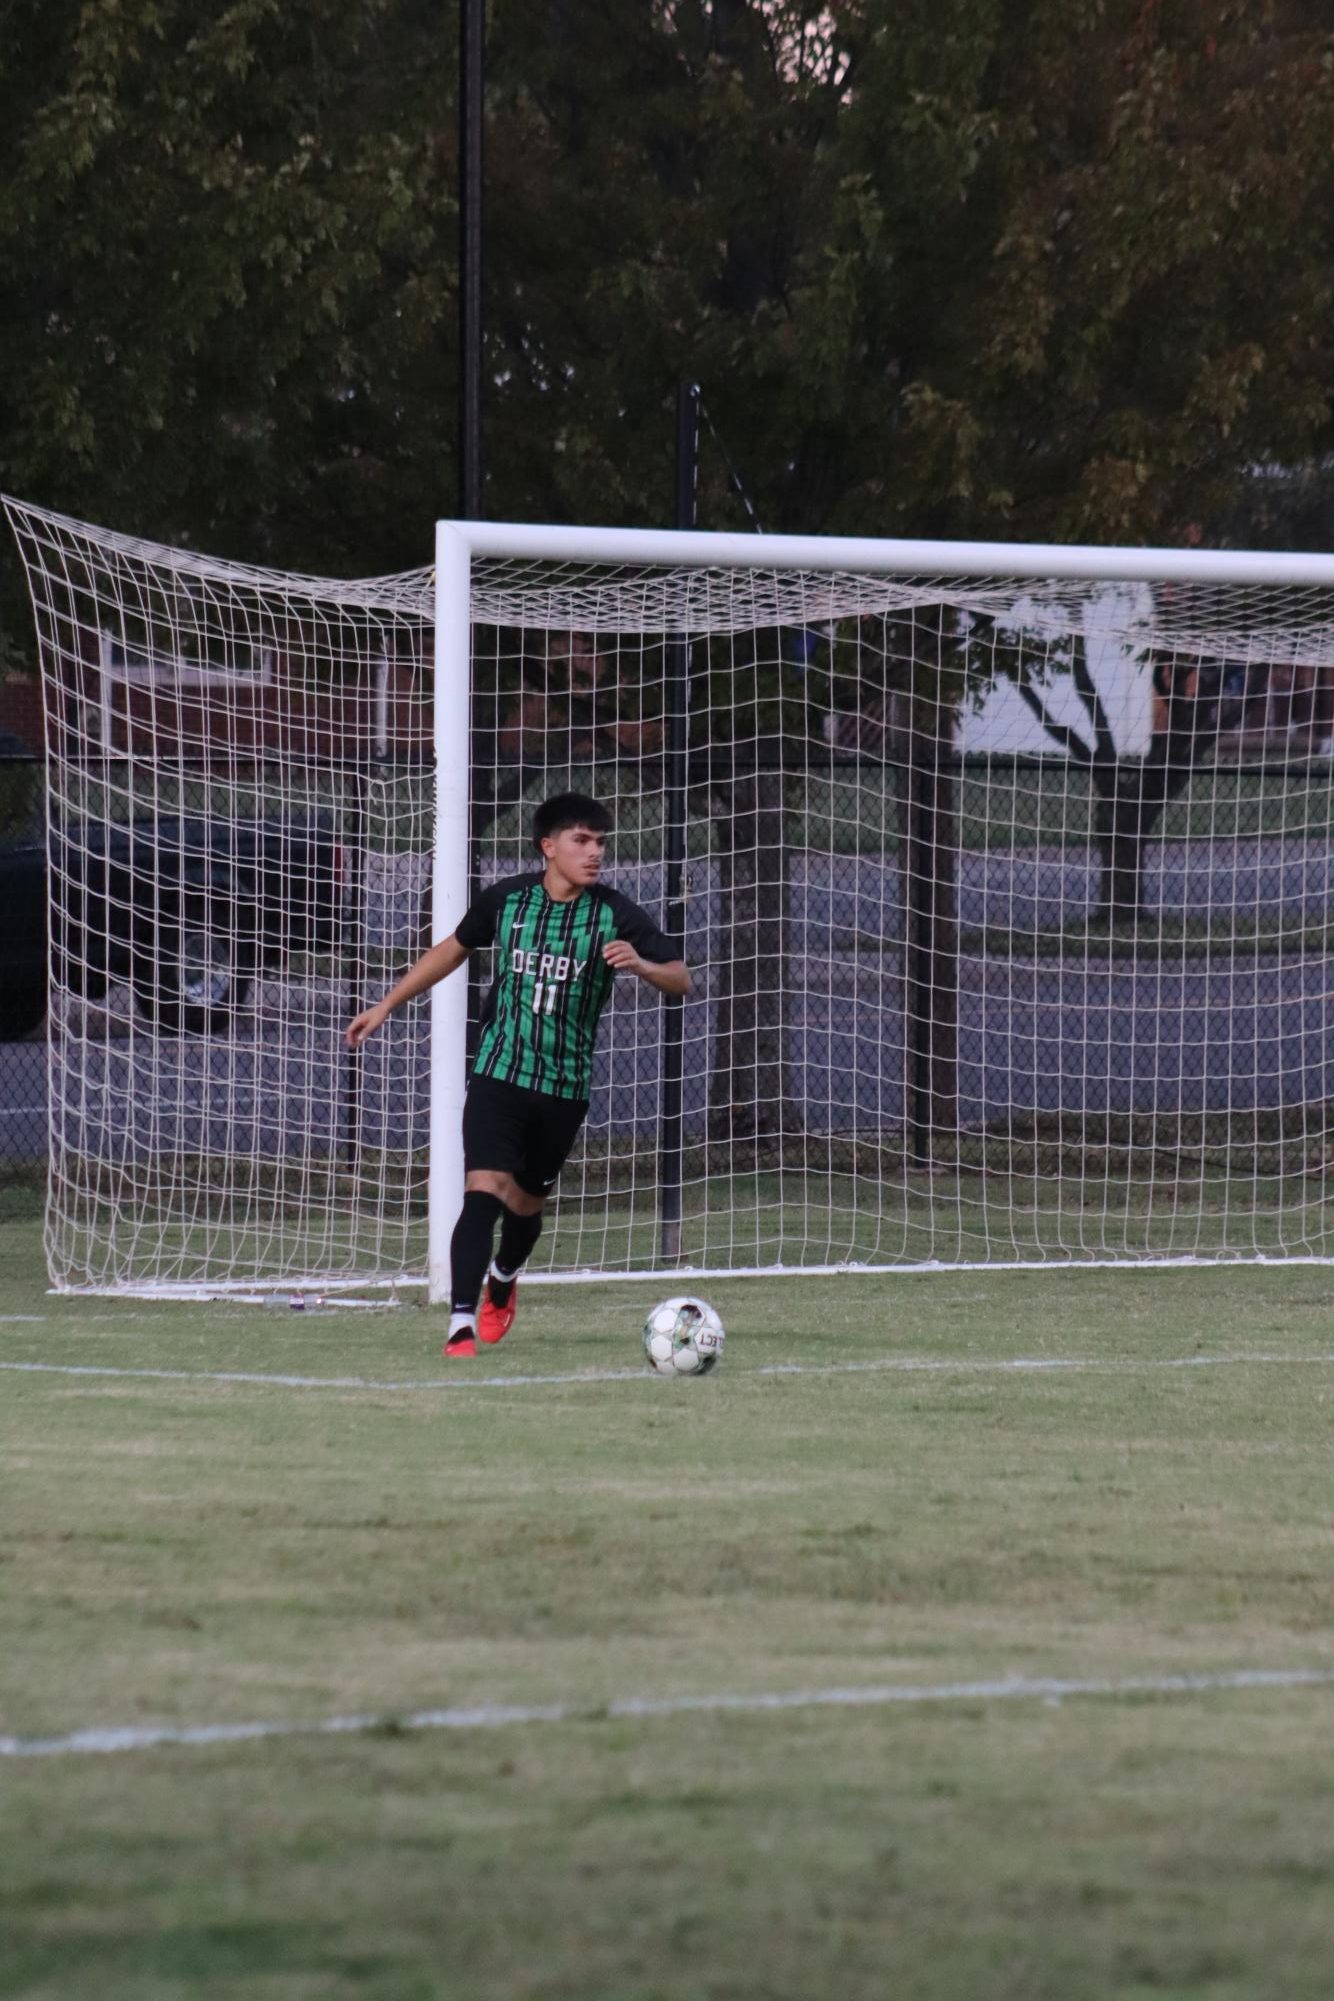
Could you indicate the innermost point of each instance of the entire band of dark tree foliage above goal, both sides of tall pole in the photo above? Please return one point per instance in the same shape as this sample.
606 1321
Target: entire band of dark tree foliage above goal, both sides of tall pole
1027 269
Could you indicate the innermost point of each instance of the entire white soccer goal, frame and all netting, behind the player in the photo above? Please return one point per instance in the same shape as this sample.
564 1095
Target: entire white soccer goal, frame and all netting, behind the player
1005 877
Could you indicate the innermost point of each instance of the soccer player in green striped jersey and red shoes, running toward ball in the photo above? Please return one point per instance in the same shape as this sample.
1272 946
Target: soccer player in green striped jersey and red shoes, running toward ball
561 937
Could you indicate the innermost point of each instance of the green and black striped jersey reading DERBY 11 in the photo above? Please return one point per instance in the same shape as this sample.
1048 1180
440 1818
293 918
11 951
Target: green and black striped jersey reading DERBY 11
553 981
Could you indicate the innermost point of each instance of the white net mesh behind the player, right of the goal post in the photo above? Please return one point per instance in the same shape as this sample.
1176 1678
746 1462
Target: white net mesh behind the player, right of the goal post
1007 905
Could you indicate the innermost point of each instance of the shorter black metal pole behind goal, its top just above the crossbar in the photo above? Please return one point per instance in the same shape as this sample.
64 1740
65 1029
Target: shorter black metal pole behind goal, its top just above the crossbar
677 727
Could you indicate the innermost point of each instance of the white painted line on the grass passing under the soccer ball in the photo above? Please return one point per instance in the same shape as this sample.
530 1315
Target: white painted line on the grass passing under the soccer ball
891 1364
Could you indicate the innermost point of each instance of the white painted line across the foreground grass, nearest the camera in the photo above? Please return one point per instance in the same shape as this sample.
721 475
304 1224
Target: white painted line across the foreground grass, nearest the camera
485 1718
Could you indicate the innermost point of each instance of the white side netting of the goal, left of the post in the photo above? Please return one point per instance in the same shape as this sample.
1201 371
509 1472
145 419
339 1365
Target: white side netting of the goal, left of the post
239 847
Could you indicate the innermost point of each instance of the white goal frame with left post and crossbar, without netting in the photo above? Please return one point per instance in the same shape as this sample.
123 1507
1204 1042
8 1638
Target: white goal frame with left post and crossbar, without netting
459 543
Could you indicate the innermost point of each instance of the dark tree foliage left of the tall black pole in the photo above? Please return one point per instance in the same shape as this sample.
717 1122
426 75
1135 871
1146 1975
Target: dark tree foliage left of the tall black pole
225 261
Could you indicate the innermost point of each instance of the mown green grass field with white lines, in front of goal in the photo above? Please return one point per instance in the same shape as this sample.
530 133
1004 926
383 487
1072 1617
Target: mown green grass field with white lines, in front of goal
945 1490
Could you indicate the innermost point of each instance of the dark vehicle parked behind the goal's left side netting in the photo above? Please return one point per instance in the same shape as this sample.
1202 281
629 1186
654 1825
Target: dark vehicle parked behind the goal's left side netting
185 911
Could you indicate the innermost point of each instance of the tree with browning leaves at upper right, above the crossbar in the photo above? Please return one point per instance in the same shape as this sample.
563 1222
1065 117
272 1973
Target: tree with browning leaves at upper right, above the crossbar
1115 297
